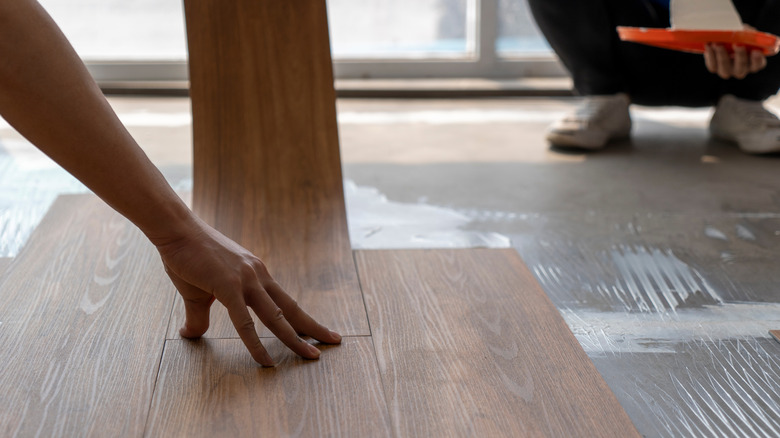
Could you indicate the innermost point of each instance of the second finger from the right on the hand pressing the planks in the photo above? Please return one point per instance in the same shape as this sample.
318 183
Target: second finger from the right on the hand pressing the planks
272 317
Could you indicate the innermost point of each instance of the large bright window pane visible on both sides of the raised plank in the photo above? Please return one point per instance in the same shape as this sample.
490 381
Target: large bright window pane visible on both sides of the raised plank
105 30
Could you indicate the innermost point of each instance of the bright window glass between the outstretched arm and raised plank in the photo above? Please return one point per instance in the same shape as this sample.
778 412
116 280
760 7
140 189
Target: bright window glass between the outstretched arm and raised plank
105 30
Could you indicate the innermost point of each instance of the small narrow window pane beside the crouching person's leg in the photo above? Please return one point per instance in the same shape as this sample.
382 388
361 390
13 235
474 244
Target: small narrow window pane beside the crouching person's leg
517 32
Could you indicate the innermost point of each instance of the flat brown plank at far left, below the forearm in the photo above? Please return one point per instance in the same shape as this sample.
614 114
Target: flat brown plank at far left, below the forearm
82 325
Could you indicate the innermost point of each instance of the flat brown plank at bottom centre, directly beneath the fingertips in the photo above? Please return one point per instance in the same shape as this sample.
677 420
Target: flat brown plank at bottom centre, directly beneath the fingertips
211 387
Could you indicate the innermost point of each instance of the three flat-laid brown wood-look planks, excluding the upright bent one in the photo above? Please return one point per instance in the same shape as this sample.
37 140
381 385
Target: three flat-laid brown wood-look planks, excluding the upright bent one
463 343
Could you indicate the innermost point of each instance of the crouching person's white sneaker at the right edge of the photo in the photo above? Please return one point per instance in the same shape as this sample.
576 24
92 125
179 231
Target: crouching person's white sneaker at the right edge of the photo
748 123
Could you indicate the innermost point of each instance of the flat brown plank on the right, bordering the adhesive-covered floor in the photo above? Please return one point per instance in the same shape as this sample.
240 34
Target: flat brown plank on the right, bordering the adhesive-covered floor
469 345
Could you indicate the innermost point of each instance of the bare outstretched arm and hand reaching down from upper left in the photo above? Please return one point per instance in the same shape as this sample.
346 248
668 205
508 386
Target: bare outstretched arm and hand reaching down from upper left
47 94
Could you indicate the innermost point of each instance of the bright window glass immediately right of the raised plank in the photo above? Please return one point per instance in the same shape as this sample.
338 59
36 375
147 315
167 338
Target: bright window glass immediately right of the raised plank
401 28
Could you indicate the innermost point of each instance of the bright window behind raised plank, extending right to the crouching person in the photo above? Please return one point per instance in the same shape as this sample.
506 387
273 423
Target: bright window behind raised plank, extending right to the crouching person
127 40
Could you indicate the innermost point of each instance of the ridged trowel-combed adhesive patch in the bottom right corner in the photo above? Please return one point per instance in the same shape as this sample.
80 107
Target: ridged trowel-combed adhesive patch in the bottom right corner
718 388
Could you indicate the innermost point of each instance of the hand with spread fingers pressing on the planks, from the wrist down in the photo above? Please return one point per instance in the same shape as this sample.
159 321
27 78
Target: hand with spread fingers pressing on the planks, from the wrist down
205 265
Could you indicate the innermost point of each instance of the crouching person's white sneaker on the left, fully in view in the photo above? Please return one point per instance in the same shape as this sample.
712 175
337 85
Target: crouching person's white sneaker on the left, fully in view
595 122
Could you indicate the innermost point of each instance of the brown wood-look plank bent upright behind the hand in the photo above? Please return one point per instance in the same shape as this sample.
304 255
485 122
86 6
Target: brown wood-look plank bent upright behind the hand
267 169
